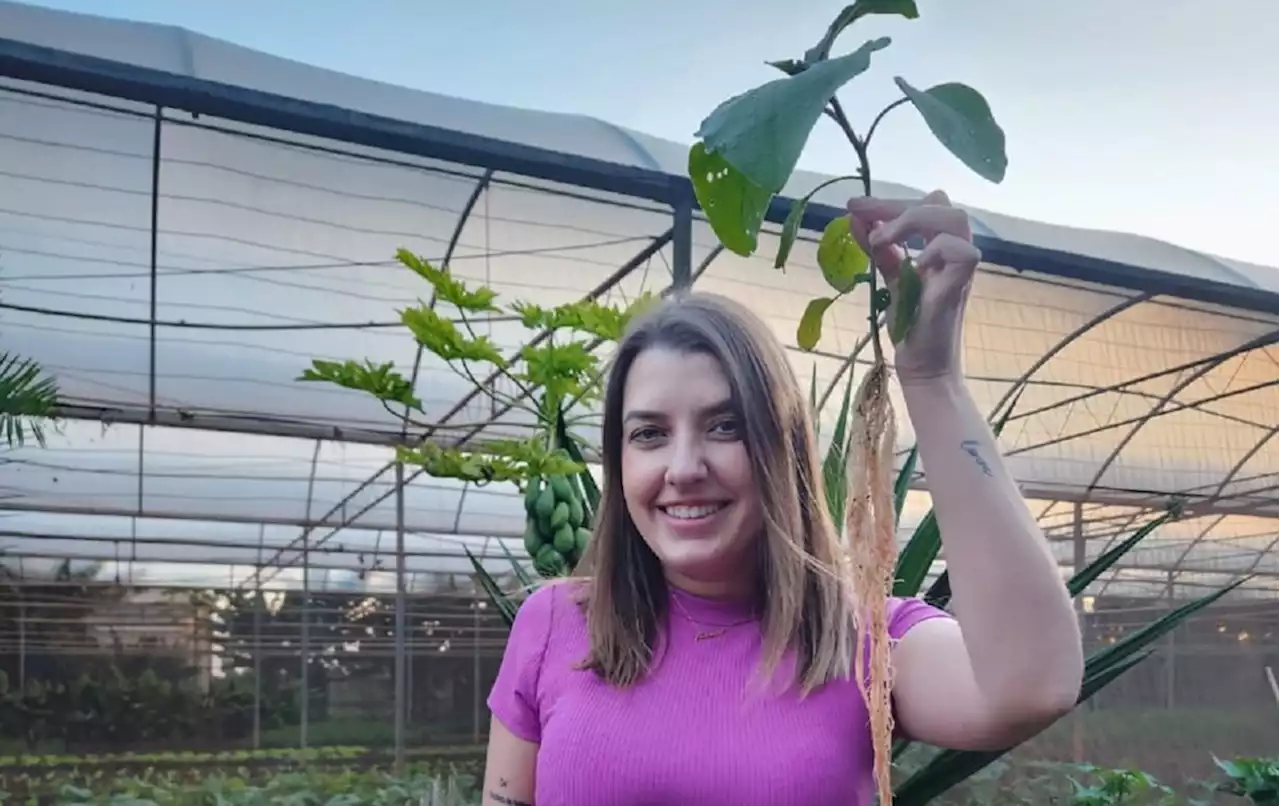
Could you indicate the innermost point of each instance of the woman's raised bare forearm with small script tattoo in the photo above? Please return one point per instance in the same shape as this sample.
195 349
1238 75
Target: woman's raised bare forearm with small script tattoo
1020 628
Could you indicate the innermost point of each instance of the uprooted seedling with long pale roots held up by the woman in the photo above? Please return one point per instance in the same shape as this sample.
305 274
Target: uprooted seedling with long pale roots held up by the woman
747 150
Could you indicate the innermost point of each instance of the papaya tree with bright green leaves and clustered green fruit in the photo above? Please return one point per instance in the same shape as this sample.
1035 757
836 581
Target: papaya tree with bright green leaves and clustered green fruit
556 377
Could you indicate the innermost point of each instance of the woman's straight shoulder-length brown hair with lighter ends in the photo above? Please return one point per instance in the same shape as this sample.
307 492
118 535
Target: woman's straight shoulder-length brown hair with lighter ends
803 592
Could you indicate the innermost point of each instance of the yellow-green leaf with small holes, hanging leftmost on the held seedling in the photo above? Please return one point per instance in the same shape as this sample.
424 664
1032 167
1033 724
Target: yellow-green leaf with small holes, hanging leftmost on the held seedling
735 207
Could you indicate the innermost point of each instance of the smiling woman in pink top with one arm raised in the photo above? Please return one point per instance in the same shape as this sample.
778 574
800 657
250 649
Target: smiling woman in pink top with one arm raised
714 570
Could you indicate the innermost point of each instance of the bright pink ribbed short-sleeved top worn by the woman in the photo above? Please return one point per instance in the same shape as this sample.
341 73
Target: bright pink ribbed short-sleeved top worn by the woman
698 731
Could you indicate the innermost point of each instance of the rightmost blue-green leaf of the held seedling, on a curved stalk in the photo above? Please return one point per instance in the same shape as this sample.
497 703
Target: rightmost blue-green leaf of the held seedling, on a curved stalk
962 121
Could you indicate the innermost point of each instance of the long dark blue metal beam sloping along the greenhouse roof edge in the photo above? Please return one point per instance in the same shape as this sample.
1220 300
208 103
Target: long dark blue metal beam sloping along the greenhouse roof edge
72 71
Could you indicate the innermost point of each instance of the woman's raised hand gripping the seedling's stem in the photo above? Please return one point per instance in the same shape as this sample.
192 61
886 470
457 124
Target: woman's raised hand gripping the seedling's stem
947 267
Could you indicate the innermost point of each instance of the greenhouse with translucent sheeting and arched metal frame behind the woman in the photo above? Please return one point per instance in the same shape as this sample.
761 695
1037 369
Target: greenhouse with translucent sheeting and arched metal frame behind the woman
186 225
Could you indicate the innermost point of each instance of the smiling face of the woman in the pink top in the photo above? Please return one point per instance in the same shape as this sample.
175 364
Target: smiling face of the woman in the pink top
687 477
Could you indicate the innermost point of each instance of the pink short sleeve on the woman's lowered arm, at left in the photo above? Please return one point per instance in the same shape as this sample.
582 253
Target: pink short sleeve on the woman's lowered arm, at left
514 698
